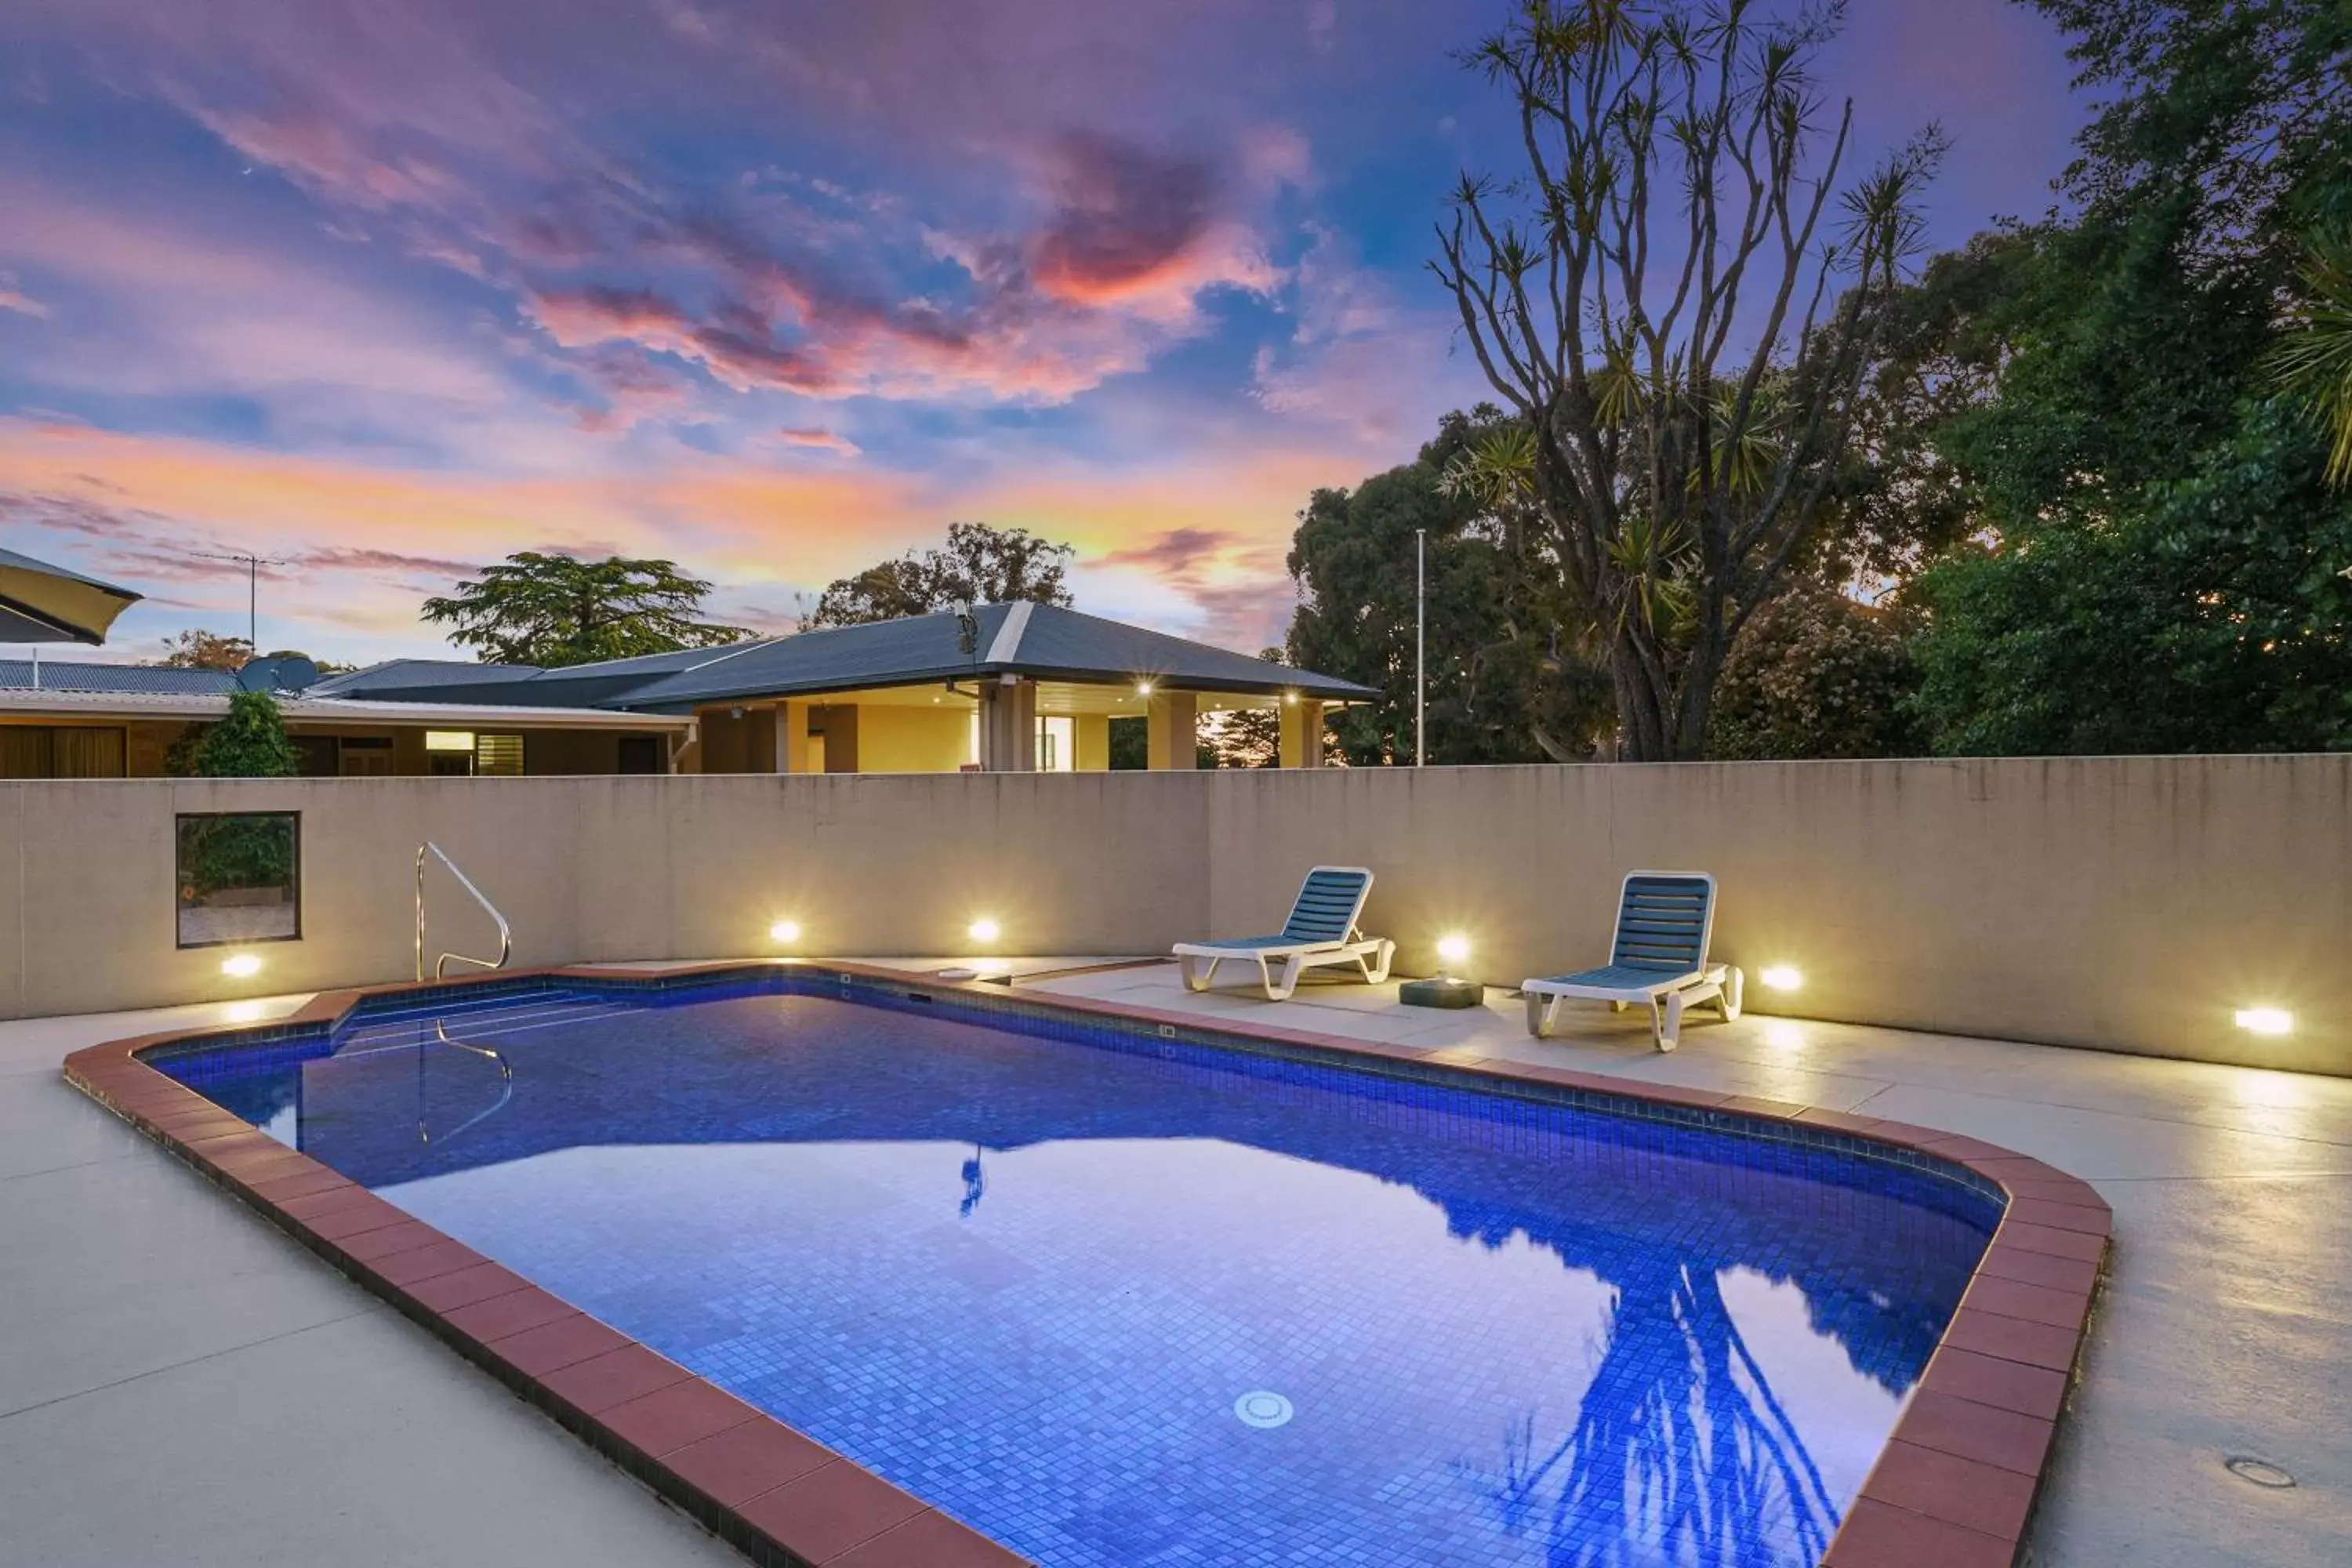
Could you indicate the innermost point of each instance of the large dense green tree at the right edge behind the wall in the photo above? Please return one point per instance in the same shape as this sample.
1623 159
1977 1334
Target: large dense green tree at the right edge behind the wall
2160 561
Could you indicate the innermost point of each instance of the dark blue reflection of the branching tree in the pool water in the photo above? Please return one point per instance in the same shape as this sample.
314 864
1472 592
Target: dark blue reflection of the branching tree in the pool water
1681 1449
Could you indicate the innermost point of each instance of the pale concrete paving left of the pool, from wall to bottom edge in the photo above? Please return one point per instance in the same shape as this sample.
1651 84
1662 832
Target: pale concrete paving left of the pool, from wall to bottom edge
185 1386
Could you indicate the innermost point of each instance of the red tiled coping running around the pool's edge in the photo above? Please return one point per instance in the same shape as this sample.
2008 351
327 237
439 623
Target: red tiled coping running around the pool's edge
1953 1487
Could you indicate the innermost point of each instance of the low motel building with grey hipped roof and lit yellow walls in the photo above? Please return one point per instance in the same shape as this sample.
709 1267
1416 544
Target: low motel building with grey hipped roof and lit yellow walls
1003 690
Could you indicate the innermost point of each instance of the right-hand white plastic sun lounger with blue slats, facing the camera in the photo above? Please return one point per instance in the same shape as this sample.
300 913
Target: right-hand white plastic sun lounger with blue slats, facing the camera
1657 958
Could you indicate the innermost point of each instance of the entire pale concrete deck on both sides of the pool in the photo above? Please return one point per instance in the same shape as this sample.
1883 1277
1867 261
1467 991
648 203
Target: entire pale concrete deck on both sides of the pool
159 1329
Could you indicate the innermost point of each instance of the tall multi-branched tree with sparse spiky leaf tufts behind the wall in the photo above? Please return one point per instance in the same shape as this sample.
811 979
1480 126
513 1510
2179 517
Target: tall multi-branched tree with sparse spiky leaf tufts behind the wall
1678 297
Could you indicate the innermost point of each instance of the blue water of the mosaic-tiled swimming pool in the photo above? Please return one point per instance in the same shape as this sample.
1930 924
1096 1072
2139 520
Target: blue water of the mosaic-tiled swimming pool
1125 1304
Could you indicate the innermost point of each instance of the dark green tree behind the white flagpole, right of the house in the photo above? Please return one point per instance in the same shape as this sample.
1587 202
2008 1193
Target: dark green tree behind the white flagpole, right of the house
1506 674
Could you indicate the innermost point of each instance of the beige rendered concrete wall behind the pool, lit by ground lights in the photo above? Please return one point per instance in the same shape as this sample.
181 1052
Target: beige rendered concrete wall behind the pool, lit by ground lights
2123 904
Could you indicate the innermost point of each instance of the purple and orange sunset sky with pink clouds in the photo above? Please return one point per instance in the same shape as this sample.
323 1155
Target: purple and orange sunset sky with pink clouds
775 288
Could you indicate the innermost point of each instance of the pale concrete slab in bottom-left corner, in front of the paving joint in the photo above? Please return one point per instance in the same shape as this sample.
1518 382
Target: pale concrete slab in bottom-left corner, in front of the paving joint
359 1442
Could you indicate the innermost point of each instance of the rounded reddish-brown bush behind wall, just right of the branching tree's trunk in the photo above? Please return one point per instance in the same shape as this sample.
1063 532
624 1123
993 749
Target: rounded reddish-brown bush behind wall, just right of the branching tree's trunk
1819 676
